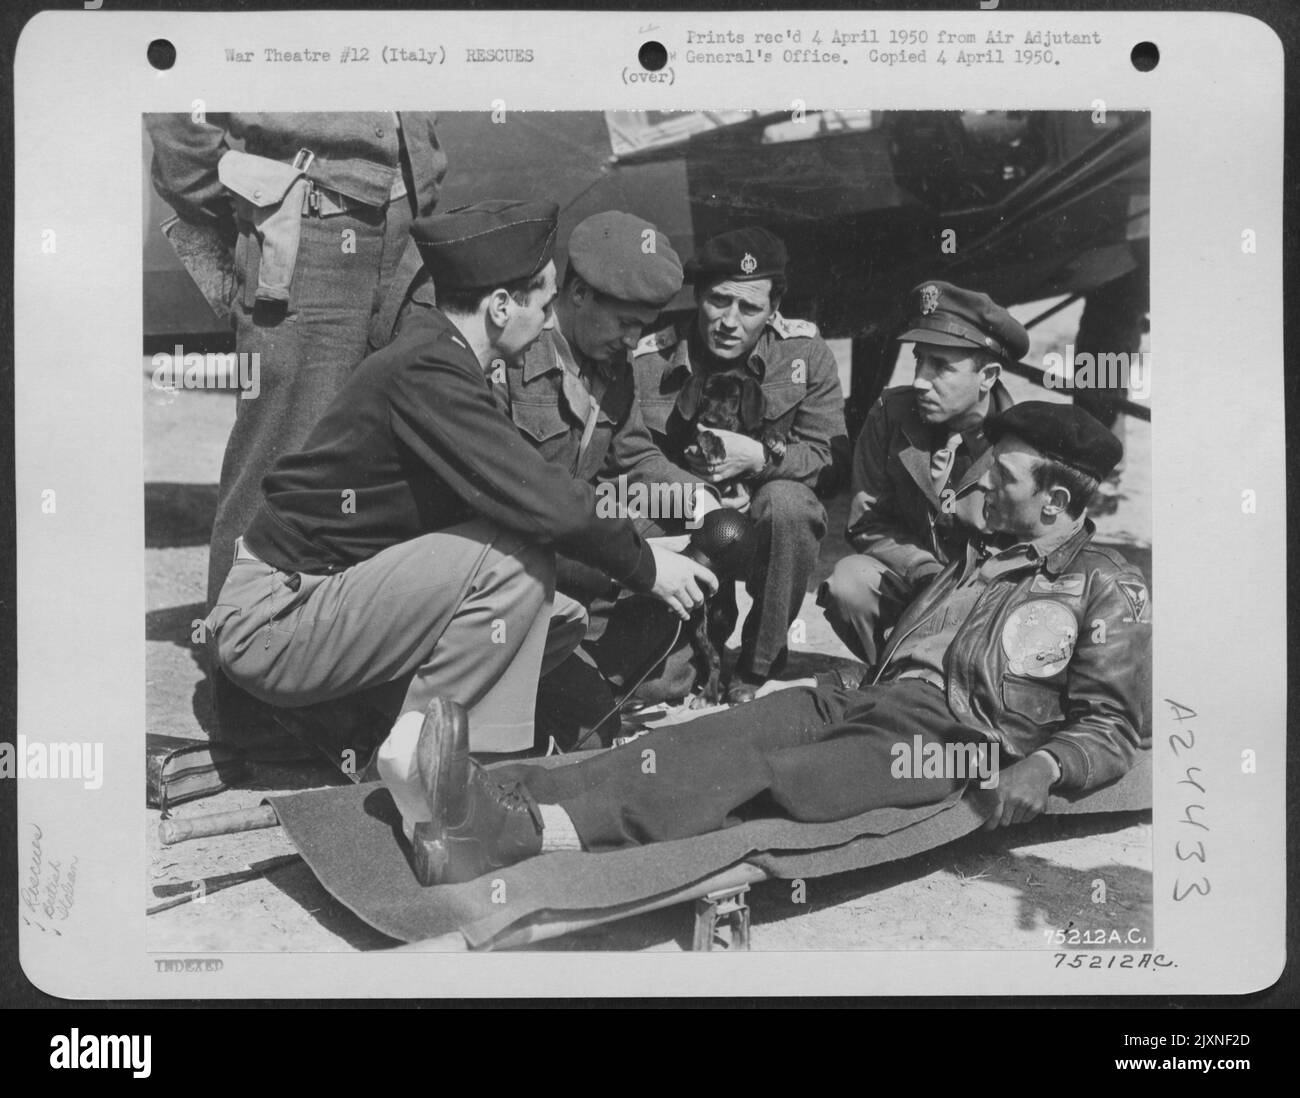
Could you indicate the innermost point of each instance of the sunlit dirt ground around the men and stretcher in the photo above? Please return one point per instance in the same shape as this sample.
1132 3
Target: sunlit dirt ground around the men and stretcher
998 891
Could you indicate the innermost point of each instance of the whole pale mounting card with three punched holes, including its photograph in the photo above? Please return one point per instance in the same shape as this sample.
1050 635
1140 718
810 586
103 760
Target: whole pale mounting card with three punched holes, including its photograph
799 485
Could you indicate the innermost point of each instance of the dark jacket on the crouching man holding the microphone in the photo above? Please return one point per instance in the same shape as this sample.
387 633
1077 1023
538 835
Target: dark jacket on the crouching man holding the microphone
415 442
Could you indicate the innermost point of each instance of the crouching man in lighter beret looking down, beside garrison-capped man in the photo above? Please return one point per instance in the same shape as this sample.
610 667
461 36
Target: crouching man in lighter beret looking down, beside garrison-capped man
573 396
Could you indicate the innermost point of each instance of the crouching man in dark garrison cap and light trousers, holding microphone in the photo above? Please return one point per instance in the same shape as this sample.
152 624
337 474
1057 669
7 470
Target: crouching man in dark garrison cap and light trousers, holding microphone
408 552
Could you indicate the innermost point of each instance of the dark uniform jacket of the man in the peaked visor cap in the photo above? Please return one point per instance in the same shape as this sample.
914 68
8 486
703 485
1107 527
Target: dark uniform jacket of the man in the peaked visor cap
895 513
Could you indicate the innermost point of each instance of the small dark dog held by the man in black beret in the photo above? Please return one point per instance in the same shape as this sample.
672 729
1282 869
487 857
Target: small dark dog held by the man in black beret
730 403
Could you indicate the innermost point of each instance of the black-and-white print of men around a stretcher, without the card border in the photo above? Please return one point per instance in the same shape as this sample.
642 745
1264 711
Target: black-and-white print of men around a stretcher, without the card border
649 530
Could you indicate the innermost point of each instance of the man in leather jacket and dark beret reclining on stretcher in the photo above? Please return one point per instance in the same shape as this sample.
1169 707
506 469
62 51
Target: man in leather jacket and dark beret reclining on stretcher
1030 654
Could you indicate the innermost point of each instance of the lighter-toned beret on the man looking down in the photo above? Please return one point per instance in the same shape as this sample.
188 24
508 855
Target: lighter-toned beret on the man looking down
609 251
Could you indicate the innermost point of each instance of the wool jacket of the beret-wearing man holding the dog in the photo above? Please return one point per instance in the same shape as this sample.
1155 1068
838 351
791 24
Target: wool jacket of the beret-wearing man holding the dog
803 401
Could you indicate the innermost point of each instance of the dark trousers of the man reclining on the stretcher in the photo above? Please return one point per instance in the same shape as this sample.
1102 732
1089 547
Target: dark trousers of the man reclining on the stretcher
807 754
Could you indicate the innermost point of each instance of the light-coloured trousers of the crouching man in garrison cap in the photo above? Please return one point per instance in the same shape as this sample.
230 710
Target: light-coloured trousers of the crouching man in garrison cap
467 614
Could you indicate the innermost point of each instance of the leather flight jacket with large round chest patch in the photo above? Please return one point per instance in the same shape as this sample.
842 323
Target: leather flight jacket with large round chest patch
1055 657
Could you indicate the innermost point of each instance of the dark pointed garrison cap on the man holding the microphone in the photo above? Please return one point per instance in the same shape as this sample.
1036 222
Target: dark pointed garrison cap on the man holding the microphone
488 244
